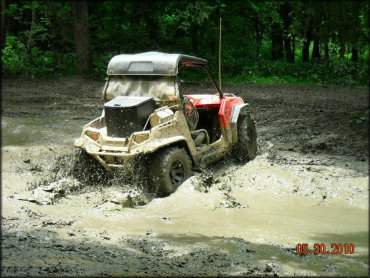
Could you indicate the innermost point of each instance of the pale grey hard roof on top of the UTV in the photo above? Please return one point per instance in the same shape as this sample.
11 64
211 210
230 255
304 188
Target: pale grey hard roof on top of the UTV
150 63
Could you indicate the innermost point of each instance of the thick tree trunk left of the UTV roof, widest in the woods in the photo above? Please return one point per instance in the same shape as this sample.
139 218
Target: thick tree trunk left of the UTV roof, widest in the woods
80 16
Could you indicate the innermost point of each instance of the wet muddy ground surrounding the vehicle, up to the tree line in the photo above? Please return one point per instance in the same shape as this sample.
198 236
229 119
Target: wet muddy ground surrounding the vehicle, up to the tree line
308 184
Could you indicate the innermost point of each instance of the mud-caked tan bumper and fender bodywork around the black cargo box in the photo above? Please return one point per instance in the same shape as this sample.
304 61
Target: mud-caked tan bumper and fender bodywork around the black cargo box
112 152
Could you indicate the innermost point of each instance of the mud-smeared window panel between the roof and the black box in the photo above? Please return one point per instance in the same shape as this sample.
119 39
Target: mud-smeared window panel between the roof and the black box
161 88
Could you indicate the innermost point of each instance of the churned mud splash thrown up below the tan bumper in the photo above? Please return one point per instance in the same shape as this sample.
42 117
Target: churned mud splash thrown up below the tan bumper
61 179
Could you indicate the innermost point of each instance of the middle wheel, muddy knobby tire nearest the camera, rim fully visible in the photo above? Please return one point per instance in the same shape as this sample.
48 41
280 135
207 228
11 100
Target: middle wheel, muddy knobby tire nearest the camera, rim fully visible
168 169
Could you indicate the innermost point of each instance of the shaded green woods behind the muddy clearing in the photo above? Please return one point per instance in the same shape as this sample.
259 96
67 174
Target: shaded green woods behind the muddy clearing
271 41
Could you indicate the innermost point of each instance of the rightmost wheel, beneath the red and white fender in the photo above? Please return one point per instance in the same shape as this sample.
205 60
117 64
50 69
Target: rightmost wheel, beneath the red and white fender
246 147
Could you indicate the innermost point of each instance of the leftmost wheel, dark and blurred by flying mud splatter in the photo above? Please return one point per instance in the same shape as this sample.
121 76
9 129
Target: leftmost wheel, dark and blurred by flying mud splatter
87 169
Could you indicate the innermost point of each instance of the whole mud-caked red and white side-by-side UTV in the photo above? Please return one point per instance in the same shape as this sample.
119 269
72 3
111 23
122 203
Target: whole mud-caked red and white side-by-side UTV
146 113
